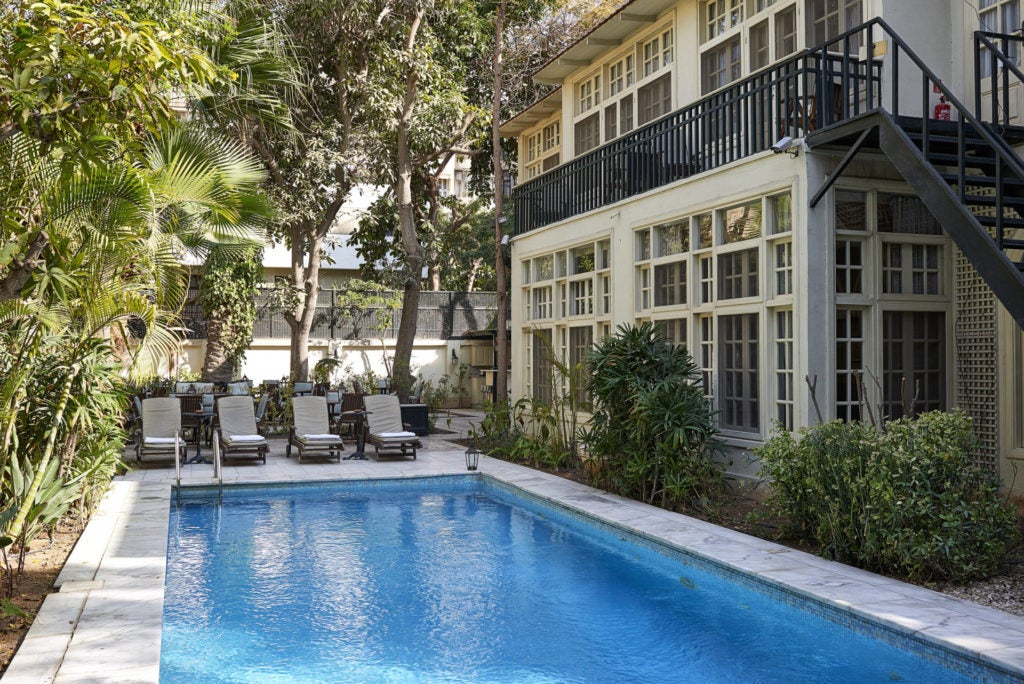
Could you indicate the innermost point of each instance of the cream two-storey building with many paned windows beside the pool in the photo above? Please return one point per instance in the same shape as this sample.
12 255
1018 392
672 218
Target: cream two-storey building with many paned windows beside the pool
822 199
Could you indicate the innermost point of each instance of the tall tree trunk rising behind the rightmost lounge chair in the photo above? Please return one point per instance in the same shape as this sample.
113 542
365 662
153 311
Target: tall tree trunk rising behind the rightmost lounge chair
402 380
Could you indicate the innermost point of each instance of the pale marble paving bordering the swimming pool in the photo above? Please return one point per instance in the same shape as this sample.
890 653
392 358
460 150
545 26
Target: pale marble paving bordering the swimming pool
105 623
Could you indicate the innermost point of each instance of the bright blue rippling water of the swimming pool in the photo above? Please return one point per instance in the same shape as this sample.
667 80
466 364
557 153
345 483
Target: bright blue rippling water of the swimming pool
465 583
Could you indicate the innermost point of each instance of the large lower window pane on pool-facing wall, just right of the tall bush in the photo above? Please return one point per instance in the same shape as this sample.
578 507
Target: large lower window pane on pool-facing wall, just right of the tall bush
739 376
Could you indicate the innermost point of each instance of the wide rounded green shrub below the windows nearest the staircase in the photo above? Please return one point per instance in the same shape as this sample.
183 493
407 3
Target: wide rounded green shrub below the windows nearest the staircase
909 500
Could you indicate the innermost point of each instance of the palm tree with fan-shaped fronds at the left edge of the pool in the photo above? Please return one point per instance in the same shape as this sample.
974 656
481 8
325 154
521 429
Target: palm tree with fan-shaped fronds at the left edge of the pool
110 285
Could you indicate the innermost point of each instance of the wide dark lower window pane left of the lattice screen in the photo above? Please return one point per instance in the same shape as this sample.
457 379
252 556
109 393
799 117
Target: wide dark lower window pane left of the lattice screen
914 363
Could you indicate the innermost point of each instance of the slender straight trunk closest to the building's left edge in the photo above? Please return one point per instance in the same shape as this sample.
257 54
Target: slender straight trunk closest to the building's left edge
501 323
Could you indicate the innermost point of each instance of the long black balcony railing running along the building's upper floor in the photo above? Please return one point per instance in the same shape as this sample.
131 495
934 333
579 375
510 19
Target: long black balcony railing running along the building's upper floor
813 90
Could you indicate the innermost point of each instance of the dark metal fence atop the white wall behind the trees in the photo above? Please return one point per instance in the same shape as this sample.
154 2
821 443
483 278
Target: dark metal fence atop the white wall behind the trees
442 316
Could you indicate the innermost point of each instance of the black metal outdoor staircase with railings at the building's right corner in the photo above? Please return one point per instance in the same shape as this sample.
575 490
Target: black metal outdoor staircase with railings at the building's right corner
965 169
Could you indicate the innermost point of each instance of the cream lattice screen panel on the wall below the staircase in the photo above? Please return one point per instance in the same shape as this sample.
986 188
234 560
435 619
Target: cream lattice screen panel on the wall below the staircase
975 349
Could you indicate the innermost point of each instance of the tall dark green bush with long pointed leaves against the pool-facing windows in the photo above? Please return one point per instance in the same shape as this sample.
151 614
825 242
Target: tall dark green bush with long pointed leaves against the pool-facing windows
653 431
